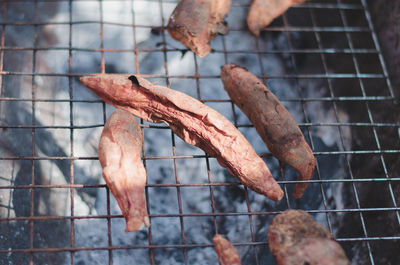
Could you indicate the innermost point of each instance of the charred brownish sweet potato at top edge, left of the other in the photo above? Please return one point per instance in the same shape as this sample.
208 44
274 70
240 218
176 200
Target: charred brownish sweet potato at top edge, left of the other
196 22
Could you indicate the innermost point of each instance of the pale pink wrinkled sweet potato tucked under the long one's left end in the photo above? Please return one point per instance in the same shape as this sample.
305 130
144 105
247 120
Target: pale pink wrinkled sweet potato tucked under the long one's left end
123 170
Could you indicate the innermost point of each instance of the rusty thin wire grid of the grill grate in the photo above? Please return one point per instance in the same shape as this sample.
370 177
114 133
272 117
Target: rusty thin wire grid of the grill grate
313 8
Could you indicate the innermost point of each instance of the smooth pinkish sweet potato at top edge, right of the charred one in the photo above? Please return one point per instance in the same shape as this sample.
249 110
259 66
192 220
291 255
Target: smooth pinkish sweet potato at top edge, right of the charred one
263 12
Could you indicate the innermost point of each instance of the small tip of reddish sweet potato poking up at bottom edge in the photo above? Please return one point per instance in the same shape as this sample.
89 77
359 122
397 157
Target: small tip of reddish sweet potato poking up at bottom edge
226 252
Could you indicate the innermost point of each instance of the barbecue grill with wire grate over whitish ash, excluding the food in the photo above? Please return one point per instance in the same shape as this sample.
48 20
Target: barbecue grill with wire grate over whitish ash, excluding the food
323 61
